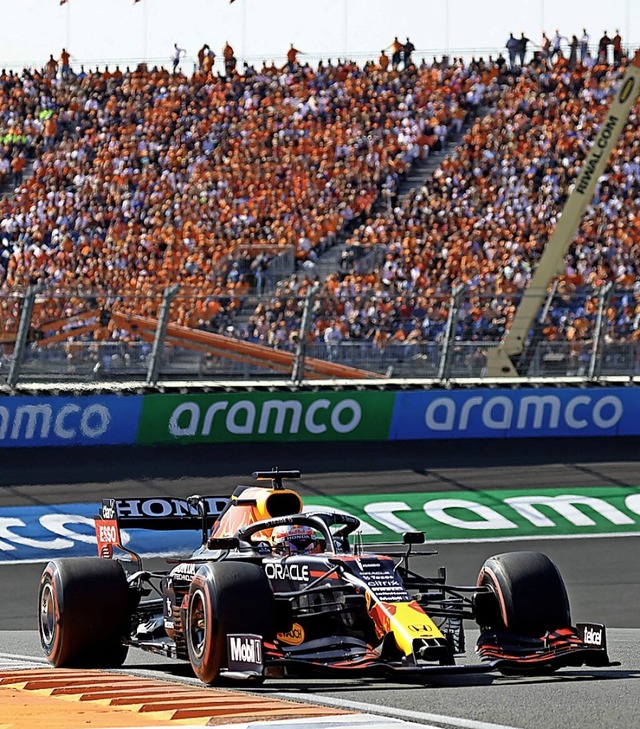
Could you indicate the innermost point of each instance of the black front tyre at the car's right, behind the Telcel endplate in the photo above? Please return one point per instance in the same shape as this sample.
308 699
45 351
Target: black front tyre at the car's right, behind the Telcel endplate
530 595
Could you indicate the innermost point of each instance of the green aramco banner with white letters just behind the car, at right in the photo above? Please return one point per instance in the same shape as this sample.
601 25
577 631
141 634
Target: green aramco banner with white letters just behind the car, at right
500 515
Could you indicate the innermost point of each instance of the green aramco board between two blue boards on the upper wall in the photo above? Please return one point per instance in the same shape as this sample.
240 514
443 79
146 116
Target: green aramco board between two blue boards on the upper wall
265 417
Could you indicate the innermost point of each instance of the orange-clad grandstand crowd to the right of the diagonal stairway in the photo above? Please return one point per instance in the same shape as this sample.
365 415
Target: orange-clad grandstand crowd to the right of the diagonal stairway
484 217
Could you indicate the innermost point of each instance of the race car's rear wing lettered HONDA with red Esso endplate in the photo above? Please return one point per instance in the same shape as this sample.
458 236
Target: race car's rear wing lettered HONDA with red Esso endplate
160 514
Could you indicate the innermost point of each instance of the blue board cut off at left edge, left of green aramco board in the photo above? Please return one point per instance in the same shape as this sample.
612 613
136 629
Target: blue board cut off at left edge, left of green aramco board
68 421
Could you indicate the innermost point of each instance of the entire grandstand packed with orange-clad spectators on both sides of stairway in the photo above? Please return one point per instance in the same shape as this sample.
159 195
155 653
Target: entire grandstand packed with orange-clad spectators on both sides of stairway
237 188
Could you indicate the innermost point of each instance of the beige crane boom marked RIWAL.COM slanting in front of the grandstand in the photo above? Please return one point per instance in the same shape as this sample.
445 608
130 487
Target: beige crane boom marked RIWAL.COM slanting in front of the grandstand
500 359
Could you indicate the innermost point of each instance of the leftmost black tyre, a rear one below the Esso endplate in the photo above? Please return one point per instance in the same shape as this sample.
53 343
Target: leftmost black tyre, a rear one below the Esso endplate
83 612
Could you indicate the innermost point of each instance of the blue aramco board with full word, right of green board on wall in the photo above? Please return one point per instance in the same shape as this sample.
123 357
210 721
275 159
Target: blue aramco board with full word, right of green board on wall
524 413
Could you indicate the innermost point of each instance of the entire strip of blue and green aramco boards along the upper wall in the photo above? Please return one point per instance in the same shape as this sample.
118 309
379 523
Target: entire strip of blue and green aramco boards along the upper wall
344 415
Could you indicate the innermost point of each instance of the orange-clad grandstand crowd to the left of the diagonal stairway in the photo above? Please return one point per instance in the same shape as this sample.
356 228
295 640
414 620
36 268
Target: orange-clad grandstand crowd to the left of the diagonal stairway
143 179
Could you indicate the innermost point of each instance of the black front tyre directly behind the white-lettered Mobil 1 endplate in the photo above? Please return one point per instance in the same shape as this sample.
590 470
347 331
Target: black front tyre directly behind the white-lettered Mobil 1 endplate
225 597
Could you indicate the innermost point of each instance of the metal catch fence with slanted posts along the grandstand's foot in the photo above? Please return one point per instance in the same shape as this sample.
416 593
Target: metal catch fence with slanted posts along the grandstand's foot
70 336
